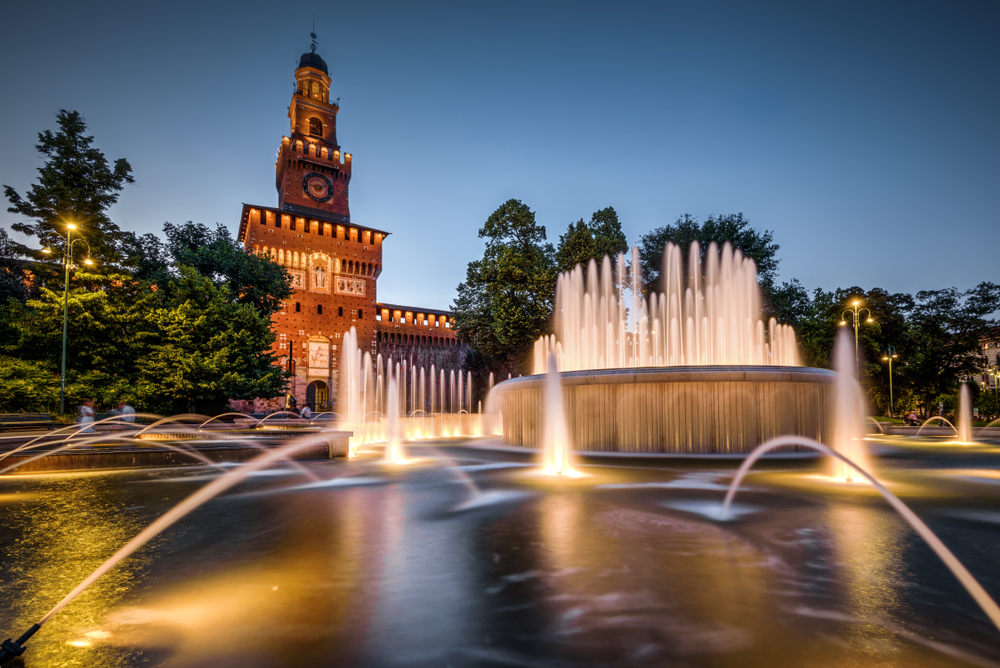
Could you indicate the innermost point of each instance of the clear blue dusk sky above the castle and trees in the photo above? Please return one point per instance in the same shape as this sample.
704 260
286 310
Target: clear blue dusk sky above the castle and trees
866 135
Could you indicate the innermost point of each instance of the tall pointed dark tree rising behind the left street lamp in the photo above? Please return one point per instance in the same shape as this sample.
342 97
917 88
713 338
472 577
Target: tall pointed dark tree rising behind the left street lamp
75 185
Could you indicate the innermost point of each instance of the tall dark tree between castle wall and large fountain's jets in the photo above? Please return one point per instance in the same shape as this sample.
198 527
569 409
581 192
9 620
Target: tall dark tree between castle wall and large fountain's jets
506 299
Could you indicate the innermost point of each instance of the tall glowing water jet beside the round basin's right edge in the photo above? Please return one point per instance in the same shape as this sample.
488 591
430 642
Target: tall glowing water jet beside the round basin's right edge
848 410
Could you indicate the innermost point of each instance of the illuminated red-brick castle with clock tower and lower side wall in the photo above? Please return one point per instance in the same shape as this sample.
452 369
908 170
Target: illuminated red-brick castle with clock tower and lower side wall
334 262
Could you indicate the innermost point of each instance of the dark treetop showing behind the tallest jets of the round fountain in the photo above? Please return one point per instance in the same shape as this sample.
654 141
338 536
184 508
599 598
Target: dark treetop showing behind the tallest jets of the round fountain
734 228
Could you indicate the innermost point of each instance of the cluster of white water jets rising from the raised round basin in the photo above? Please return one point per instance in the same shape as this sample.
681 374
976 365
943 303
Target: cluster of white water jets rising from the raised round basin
708 314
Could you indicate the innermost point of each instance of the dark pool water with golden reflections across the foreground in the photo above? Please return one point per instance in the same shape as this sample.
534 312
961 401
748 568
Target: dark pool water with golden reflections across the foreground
469 557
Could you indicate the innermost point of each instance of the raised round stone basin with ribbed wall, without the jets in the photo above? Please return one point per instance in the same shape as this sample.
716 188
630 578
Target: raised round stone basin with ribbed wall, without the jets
688 410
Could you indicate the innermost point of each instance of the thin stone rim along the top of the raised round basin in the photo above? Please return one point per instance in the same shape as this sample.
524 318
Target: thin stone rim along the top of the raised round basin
678 374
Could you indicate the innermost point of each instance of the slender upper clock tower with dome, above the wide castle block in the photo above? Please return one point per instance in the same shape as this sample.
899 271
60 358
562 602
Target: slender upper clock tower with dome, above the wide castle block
311 175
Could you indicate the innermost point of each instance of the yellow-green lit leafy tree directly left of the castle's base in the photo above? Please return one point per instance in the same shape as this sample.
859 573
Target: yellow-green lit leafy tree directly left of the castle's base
210 349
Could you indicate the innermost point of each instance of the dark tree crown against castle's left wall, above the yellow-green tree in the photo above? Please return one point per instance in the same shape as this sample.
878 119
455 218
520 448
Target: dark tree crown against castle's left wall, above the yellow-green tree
252 279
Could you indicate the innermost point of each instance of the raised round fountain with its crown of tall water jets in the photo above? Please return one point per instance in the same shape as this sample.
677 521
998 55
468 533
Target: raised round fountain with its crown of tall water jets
692 370
